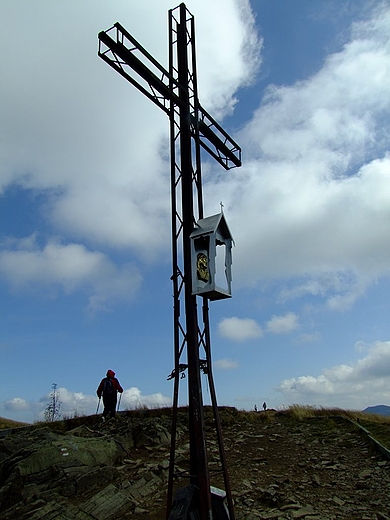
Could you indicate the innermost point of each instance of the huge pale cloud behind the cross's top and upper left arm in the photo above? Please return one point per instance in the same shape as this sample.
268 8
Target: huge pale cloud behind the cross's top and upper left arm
87 138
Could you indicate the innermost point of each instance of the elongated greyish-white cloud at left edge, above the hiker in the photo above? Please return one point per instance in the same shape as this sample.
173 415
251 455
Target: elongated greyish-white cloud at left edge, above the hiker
71 267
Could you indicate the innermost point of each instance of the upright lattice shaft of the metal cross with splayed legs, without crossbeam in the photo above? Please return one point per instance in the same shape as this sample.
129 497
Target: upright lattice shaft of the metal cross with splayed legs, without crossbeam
186 184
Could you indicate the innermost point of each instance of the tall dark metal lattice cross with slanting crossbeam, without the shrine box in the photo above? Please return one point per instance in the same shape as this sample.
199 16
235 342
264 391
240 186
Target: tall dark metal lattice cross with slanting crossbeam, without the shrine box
191 128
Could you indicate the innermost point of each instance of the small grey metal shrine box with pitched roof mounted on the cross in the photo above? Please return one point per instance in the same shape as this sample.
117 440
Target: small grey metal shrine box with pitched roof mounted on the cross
211 258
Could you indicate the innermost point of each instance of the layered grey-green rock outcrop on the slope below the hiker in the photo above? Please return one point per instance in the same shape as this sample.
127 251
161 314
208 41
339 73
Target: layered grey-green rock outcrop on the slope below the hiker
84 474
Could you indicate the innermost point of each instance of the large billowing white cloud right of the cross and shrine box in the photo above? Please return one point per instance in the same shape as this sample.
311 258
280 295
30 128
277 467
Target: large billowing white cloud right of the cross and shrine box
311 203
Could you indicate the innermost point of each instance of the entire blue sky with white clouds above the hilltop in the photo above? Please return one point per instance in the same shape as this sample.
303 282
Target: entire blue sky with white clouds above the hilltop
85 258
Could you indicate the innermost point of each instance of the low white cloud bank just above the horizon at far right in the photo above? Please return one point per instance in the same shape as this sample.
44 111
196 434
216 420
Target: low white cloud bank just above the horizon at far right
354 386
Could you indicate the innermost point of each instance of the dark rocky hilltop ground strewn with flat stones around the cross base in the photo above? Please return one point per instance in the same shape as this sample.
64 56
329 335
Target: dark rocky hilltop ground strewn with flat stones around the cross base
279 467
